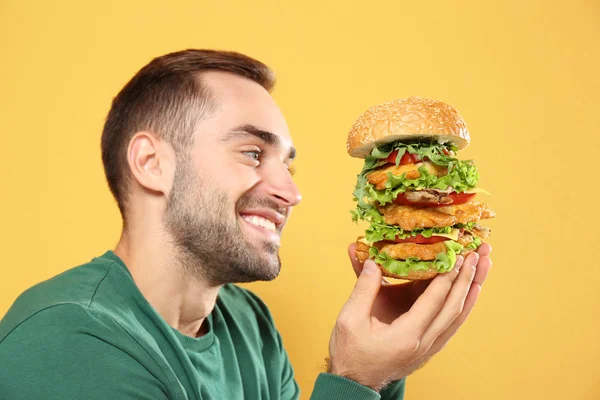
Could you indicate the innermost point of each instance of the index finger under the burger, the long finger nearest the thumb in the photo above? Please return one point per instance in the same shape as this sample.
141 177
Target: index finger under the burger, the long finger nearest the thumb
431 301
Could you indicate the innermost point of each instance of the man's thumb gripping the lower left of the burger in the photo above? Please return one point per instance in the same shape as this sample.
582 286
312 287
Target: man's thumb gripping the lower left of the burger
365 291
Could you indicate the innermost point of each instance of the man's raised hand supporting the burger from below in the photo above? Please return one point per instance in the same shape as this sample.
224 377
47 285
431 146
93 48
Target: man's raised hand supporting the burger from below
384 333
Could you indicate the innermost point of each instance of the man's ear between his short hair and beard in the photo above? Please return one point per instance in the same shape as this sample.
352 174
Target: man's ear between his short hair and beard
151 162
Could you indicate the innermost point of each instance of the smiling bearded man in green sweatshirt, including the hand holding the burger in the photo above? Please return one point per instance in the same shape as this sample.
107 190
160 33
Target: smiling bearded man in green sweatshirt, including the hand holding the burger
198 156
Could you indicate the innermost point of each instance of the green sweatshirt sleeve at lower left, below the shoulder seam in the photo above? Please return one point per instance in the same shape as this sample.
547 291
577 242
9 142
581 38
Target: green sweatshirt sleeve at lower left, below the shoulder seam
67 352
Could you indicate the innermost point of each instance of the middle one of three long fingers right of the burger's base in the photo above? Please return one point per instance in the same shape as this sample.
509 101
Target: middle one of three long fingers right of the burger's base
455 303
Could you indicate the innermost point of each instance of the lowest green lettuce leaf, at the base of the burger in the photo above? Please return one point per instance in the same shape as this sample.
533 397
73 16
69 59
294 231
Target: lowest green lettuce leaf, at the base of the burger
444 262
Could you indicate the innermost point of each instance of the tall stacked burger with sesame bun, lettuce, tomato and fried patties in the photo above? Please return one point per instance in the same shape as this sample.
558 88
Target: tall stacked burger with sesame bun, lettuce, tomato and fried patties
420 200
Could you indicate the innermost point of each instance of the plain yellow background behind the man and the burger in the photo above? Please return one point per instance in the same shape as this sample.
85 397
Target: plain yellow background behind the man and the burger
524 74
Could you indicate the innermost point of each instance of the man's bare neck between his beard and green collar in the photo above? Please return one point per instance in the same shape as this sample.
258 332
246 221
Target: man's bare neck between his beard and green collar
182 300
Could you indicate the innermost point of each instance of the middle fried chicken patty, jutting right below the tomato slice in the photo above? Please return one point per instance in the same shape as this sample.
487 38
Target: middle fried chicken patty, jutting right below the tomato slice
411 217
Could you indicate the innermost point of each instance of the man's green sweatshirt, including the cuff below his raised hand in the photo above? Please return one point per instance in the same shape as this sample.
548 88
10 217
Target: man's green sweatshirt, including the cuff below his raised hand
88 333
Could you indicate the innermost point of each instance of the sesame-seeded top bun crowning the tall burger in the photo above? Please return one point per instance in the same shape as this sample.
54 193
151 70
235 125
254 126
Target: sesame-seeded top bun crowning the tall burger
409 119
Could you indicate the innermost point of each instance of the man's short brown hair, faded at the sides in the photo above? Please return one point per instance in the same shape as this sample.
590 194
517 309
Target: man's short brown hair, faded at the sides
166 97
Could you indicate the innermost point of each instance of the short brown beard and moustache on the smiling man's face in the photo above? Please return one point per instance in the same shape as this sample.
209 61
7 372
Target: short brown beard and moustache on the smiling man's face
209 241
